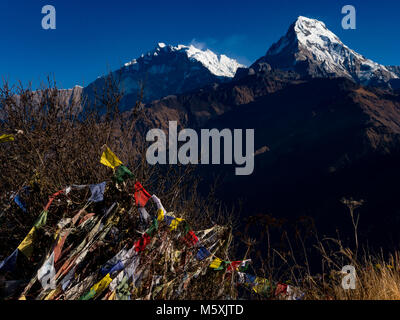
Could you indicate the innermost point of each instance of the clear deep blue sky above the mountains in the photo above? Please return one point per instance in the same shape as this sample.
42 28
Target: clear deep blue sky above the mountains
95 36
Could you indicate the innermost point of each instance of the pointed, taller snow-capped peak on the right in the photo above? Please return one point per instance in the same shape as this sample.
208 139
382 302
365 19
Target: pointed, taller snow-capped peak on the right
310 48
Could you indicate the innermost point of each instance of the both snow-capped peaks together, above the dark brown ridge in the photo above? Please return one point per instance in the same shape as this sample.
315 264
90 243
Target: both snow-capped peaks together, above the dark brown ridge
309 49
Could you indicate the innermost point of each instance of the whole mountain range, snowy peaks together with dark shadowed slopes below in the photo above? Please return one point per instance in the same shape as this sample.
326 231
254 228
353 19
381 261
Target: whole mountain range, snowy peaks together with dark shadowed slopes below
326 120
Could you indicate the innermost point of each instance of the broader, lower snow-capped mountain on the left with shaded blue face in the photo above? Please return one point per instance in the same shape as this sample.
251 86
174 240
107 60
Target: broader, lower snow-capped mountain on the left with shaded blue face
168 70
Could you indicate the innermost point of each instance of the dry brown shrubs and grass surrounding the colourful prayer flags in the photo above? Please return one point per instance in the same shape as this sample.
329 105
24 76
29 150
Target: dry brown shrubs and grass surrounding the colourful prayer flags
60 144
